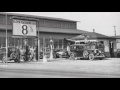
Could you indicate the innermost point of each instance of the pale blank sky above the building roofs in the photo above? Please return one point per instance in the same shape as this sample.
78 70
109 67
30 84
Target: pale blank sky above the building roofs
102 22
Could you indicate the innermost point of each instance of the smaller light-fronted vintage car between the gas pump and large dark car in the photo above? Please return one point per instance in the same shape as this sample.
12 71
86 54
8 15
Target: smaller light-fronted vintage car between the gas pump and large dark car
61 54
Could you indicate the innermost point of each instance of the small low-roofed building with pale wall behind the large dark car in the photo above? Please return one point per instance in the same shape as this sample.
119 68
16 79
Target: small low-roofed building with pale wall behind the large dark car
108 44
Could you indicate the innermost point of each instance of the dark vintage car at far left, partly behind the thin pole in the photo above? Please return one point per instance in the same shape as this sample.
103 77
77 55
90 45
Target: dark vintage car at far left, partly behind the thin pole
13 54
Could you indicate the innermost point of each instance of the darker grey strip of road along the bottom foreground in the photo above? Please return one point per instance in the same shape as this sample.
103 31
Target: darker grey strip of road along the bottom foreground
15 73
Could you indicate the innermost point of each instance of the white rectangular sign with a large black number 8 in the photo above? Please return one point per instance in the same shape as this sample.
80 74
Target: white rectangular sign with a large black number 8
24 27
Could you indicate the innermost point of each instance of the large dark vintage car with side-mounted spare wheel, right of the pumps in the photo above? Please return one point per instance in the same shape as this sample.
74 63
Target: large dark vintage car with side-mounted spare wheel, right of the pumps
83 51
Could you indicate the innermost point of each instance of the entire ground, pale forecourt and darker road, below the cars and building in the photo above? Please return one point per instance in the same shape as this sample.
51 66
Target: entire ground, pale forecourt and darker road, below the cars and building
62 68
